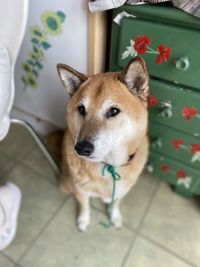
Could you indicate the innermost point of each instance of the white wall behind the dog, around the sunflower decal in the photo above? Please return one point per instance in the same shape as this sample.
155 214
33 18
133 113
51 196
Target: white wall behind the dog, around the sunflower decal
48 101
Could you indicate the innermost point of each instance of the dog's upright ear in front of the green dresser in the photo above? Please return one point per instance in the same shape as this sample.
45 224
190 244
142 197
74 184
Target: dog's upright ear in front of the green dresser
136 78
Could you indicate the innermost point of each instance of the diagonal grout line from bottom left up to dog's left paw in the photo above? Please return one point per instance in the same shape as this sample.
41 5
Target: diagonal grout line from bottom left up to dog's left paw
43 229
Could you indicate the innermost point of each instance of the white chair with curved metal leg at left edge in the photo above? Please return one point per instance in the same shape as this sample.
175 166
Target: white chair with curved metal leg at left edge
13 20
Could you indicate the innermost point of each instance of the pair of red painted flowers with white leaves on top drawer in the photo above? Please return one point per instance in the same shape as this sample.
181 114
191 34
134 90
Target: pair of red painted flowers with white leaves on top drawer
141 45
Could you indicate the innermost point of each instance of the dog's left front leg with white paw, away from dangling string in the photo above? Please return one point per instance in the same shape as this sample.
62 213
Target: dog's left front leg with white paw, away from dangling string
84 211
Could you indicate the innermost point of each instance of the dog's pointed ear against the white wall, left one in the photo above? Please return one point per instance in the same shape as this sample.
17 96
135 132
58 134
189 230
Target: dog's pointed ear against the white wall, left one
70 78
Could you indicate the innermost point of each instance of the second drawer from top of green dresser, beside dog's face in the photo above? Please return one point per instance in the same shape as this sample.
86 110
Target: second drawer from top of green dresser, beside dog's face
175 107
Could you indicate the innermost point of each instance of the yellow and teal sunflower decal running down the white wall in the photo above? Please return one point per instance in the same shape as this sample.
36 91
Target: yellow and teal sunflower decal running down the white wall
51 26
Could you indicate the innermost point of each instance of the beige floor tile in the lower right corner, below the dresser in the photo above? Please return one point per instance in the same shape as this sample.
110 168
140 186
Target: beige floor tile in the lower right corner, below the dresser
173 221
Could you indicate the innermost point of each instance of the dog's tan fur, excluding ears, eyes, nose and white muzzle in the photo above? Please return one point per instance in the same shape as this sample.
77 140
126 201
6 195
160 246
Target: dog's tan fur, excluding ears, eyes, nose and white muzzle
82 177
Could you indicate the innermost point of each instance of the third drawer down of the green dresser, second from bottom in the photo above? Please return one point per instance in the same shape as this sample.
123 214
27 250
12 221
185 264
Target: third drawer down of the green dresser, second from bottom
175 144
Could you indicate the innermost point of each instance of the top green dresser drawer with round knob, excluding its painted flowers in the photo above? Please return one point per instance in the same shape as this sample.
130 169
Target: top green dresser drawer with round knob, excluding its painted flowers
183 66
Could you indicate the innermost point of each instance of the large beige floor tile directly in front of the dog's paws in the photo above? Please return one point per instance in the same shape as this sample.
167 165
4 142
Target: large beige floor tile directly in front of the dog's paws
63 245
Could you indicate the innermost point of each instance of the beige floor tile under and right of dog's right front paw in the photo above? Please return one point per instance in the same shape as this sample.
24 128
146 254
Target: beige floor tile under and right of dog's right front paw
135 202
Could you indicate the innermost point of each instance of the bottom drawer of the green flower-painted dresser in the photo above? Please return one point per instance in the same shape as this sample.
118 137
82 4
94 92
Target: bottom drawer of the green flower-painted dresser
185 179
